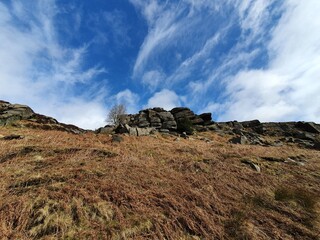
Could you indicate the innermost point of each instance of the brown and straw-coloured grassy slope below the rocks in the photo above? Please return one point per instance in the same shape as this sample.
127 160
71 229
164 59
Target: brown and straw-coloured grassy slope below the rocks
58 185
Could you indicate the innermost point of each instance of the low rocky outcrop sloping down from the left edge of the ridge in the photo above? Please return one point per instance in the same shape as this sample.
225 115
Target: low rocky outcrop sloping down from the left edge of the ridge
24 116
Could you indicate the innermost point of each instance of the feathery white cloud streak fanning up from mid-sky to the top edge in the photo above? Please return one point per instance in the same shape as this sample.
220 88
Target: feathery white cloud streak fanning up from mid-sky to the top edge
165 26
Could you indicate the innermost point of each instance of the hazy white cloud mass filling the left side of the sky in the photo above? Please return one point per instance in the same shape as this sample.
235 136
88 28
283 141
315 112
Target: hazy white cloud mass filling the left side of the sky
35 69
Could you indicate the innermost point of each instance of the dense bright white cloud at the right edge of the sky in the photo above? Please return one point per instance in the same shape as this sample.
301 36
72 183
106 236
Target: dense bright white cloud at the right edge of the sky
289 88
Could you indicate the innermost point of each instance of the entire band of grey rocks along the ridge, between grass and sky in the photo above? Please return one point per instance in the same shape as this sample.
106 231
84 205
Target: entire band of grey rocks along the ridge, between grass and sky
178 121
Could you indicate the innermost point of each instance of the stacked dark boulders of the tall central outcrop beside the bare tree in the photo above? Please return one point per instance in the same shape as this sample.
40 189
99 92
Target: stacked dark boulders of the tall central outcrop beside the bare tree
163 120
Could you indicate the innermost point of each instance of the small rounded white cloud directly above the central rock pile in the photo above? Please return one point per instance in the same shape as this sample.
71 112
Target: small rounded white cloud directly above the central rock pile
166 99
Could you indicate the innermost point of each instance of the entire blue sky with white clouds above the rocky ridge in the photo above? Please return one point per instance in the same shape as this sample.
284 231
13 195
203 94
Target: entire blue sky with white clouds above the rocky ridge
238 59
